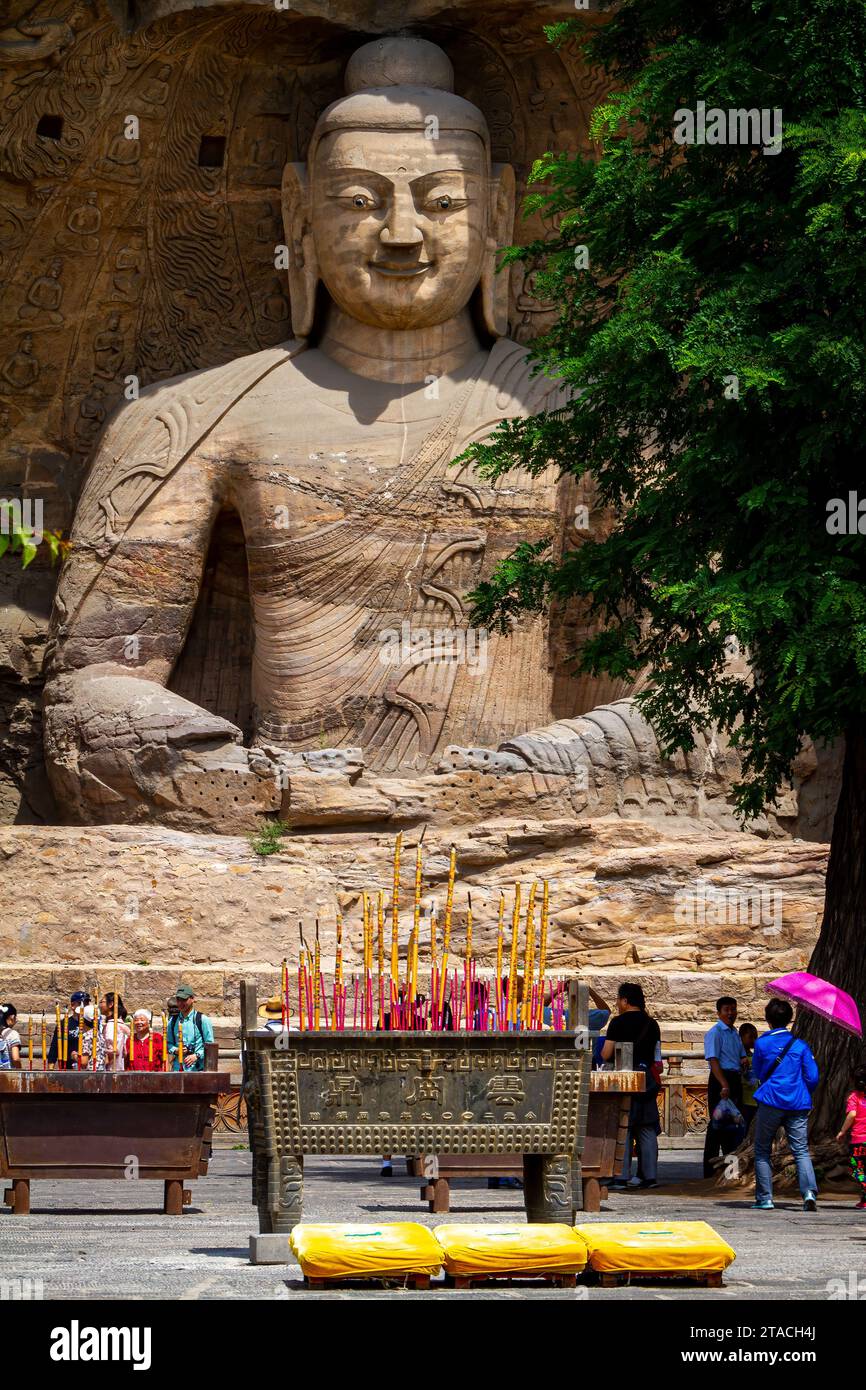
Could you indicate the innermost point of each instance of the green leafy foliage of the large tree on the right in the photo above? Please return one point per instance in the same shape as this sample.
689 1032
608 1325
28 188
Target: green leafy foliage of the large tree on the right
718 355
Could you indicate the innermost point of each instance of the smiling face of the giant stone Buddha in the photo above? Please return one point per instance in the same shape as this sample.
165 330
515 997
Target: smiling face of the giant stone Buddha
401 223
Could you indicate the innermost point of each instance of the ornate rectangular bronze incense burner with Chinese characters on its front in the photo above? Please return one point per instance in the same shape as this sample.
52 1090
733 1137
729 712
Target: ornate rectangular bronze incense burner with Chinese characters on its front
415 1093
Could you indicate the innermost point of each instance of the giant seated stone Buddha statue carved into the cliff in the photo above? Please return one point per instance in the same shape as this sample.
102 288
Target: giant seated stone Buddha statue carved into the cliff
337 450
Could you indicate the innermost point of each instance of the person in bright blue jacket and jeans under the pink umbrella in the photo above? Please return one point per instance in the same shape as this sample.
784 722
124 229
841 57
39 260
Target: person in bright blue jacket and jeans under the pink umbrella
787 1074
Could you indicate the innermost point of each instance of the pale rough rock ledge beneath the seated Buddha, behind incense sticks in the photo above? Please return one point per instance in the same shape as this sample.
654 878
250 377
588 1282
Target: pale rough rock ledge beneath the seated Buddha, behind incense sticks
692 913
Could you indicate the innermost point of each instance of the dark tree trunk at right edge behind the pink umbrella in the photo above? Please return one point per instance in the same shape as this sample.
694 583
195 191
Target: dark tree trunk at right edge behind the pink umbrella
840 953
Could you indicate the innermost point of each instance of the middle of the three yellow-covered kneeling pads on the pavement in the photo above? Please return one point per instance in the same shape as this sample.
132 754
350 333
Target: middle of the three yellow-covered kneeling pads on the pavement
479 1250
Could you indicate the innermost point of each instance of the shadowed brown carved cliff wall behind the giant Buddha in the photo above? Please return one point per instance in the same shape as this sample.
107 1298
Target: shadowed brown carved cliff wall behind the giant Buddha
155 256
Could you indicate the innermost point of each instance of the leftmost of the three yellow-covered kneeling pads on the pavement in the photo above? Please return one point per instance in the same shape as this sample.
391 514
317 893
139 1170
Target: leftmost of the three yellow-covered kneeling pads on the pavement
337 1250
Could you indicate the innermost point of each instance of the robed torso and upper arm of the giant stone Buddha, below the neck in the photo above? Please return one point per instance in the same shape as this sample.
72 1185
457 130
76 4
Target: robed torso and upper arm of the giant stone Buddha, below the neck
361 596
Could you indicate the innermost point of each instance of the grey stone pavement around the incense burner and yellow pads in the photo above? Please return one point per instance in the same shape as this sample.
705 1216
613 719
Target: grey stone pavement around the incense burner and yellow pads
109 1241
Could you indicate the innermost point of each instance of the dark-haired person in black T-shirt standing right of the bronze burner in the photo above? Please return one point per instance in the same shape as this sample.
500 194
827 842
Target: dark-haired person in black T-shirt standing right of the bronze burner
633 1025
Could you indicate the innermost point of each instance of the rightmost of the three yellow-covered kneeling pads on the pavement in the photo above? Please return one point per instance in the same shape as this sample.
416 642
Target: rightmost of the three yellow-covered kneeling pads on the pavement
647 1246
